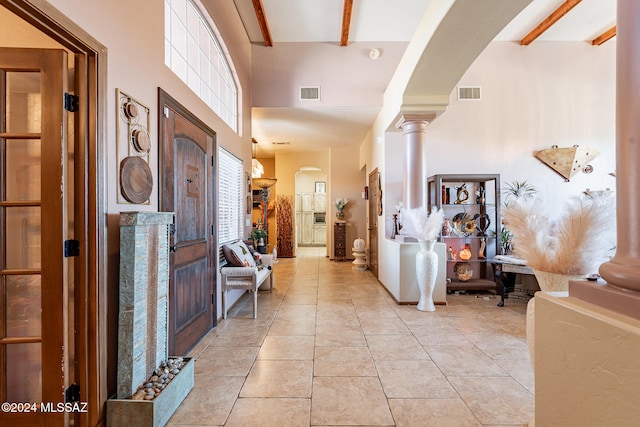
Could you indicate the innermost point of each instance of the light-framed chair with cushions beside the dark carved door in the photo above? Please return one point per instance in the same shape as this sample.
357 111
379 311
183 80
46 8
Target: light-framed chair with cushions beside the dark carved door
242 272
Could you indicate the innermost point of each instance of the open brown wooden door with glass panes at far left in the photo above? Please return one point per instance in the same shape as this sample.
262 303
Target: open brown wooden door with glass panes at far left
34 224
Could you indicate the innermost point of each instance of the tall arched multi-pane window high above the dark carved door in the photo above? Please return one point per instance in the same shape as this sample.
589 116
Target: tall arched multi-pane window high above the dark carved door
194 53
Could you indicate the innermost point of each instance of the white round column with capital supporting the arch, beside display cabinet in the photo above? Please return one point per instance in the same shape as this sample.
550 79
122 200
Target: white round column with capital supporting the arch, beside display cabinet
414 133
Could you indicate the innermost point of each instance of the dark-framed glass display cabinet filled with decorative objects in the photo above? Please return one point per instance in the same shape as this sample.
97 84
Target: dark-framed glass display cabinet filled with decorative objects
471 230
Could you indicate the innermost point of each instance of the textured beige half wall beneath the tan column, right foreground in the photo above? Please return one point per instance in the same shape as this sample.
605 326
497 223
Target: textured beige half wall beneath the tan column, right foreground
587 371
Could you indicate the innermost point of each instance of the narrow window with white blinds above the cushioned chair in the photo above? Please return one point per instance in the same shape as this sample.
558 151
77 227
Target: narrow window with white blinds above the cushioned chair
230 197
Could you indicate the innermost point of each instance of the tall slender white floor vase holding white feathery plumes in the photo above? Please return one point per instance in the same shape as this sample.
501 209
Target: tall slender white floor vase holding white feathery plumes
426 229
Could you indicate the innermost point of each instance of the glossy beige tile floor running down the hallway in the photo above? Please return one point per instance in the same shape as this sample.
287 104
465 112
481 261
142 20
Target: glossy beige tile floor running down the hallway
330 347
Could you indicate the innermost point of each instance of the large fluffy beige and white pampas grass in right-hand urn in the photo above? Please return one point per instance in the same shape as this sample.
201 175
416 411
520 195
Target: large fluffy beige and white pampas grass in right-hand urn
581 240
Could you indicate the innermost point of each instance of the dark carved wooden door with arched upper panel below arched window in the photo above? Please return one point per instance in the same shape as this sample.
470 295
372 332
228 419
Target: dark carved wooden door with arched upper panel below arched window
187 190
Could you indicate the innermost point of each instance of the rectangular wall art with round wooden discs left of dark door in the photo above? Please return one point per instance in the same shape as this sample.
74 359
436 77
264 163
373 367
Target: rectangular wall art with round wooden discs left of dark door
133 144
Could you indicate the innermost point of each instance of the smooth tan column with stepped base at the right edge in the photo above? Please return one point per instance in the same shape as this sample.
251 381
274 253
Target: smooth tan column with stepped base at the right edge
622 273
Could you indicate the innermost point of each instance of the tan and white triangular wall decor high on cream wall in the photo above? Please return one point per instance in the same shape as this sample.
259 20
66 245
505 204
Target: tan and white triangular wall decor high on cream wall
568 161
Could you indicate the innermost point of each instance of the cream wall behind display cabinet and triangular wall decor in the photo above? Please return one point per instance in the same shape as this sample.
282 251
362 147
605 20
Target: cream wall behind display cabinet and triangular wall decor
548 93
